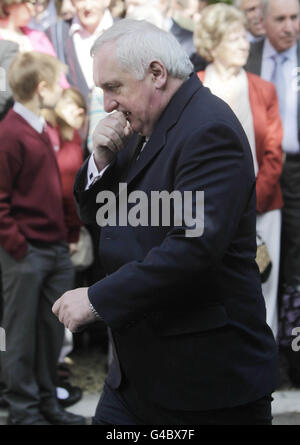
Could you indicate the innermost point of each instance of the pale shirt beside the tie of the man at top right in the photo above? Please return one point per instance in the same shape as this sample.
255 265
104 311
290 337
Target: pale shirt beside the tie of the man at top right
290 141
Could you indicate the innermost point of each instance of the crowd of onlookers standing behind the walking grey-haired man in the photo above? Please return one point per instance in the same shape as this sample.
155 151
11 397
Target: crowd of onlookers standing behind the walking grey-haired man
246 53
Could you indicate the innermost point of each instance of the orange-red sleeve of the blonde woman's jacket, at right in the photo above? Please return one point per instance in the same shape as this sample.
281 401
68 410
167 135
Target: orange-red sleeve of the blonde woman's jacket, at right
271 166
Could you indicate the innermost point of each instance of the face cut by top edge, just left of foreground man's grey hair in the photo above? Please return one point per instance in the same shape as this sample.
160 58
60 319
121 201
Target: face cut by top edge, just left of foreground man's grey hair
90 12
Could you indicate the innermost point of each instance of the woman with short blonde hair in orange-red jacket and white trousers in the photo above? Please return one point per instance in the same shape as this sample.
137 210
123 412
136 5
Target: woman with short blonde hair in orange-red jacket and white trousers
220 37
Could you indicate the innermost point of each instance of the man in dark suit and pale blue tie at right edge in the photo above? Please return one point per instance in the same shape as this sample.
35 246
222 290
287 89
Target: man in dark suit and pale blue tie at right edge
277 58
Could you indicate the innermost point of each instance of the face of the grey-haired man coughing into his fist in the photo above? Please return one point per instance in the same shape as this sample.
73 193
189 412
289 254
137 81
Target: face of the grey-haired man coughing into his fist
139 100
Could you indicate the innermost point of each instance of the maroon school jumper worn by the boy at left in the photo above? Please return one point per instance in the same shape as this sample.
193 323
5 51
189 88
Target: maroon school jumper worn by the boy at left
30 188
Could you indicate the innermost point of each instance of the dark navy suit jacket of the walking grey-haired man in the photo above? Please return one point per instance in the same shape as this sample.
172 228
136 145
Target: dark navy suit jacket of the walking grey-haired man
187 314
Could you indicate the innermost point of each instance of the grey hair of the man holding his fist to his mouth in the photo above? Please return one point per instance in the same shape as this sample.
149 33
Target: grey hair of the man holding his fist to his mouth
139 43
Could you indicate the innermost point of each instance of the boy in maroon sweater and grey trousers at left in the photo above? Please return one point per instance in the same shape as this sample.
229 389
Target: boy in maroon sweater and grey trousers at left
34 255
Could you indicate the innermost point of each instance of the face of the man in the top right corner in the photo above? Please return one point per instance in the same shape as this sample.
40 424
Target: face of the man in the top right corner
282 23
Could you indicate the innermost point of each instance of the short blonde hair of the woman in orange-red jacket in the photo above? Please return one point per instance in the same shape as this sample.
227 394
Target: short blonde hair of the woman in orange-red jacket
215 21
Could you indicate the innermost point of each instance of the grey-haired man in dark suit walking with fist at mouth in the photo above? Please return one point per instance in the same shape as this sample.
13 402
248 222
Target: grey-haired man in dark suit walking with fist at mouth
182 295
